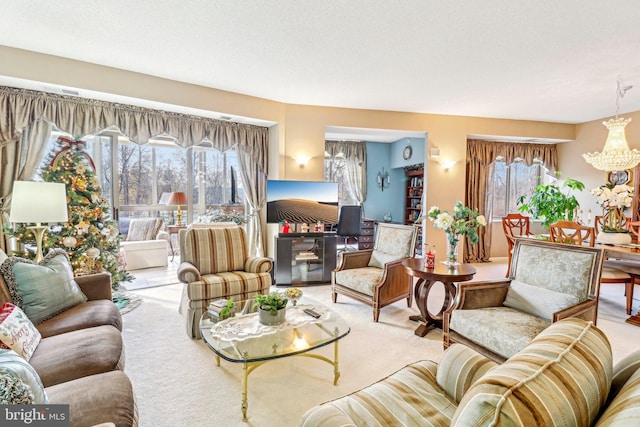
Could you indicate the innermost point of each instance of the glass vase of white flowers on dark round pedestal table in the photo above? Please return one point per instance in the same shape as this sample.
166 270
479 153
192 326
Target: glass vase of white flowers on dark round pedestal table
463 221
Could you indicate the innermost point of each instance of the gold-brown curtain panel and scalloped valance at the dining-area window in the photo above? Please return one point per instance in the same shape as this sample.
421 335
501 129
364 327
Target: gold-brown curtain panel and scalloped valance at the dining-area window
481 156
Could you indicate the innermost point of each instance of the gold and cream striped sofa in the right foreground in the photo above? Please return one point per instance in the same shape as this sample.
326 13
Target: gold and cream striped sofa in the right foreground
564 377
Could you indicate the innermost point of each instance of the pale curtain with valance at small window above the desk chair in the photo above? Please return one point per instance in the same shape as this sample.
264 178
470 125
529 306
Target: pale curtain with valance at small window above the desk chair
355 155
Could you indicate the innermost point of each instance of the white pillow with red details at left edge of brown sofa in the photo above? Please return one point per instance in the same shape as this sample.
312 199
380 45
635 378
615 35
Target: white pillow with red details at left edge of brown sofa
17 332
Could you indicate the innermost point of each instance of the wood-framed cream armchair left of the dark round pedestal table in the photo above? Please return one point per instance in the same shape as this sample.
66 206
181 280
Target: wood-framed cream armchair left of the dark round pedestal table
377 277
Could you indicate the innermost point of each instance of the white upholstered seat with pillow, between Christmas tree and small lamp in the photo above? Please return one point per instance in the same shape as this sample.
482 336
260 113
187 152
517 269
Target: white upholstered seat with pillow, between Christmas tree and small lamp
145 244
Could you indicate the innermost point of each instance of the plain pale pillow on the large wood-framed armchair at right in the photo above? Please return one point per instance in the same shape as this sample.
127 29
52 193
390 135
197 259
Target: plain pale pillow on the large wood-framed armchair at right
540 302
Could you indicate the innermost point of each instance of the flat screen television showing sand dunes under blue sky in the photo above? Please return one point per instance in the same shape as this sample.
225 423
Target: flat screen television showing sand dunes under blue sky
301 202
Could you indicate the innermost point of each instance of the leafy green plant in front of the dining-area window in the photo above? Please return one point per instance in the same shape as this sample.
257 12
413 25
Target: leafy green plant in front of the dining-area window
552 203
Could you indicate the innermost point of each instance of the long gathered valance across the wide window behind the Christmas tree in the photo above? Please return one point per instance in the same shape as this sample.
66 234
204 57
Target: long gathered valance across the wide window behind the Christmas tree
81 116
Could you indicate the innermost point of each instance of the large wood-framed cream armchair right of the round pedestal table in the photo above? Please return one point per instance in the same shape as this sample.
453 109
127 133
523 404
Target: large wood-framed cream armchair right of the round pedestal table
548 282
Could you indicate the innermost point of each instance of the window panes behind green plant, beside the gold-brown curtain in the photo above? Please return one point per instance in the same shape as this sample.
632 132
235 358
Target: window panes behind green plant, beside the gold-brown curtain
511 182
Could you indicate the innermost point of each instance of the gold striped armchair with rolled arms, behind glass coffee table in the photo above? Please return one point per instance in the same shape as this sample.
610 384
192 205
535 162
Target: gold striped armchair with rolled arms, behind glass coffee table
216 265
